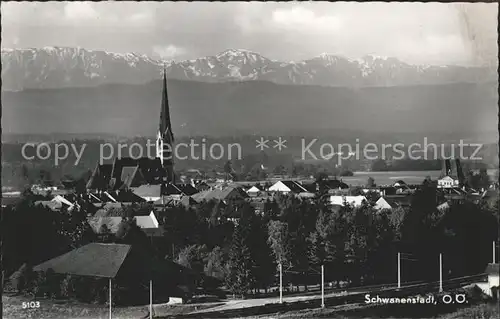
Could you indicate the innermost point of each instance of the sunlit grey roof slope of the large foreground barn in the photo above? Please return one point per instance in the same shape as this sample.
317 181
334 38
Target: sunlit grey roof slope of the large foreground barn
93 260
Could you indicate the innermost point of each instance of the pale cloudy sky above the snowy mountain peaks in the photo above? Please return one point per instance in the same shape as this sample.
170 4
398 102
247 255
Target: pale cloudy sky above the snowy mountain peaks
431 33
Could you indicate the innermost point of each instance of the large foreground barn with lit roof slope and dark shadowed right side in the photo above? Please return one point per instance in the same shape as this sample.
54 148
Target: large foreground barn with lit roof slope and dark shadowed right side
128 266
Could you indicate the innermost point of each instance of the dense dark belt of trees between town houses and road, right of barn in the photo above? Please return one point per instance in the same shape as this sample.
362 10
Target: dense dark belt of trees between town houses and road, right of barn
356 245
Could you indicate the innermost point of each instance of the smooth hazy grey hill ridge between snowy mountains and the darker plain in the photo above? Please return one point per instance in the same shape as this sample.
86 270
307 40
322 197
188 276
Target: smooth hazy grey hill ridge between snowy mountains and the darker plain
255 107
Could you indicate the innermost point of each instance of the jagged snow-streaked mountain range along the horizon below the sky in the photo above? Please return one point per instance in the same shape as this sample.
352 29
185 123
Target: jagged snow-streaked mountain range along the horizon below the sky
54 67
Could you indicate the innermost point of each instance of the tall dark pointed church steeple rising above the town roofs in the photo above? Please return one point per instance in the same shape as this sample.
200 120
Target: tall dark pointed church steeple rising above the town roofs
165 136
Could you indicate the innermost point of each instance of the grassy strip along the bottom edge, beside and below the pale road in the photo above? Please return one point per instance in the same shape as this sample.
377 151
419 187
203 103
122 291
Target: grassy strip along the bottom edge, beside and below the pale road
13 309
